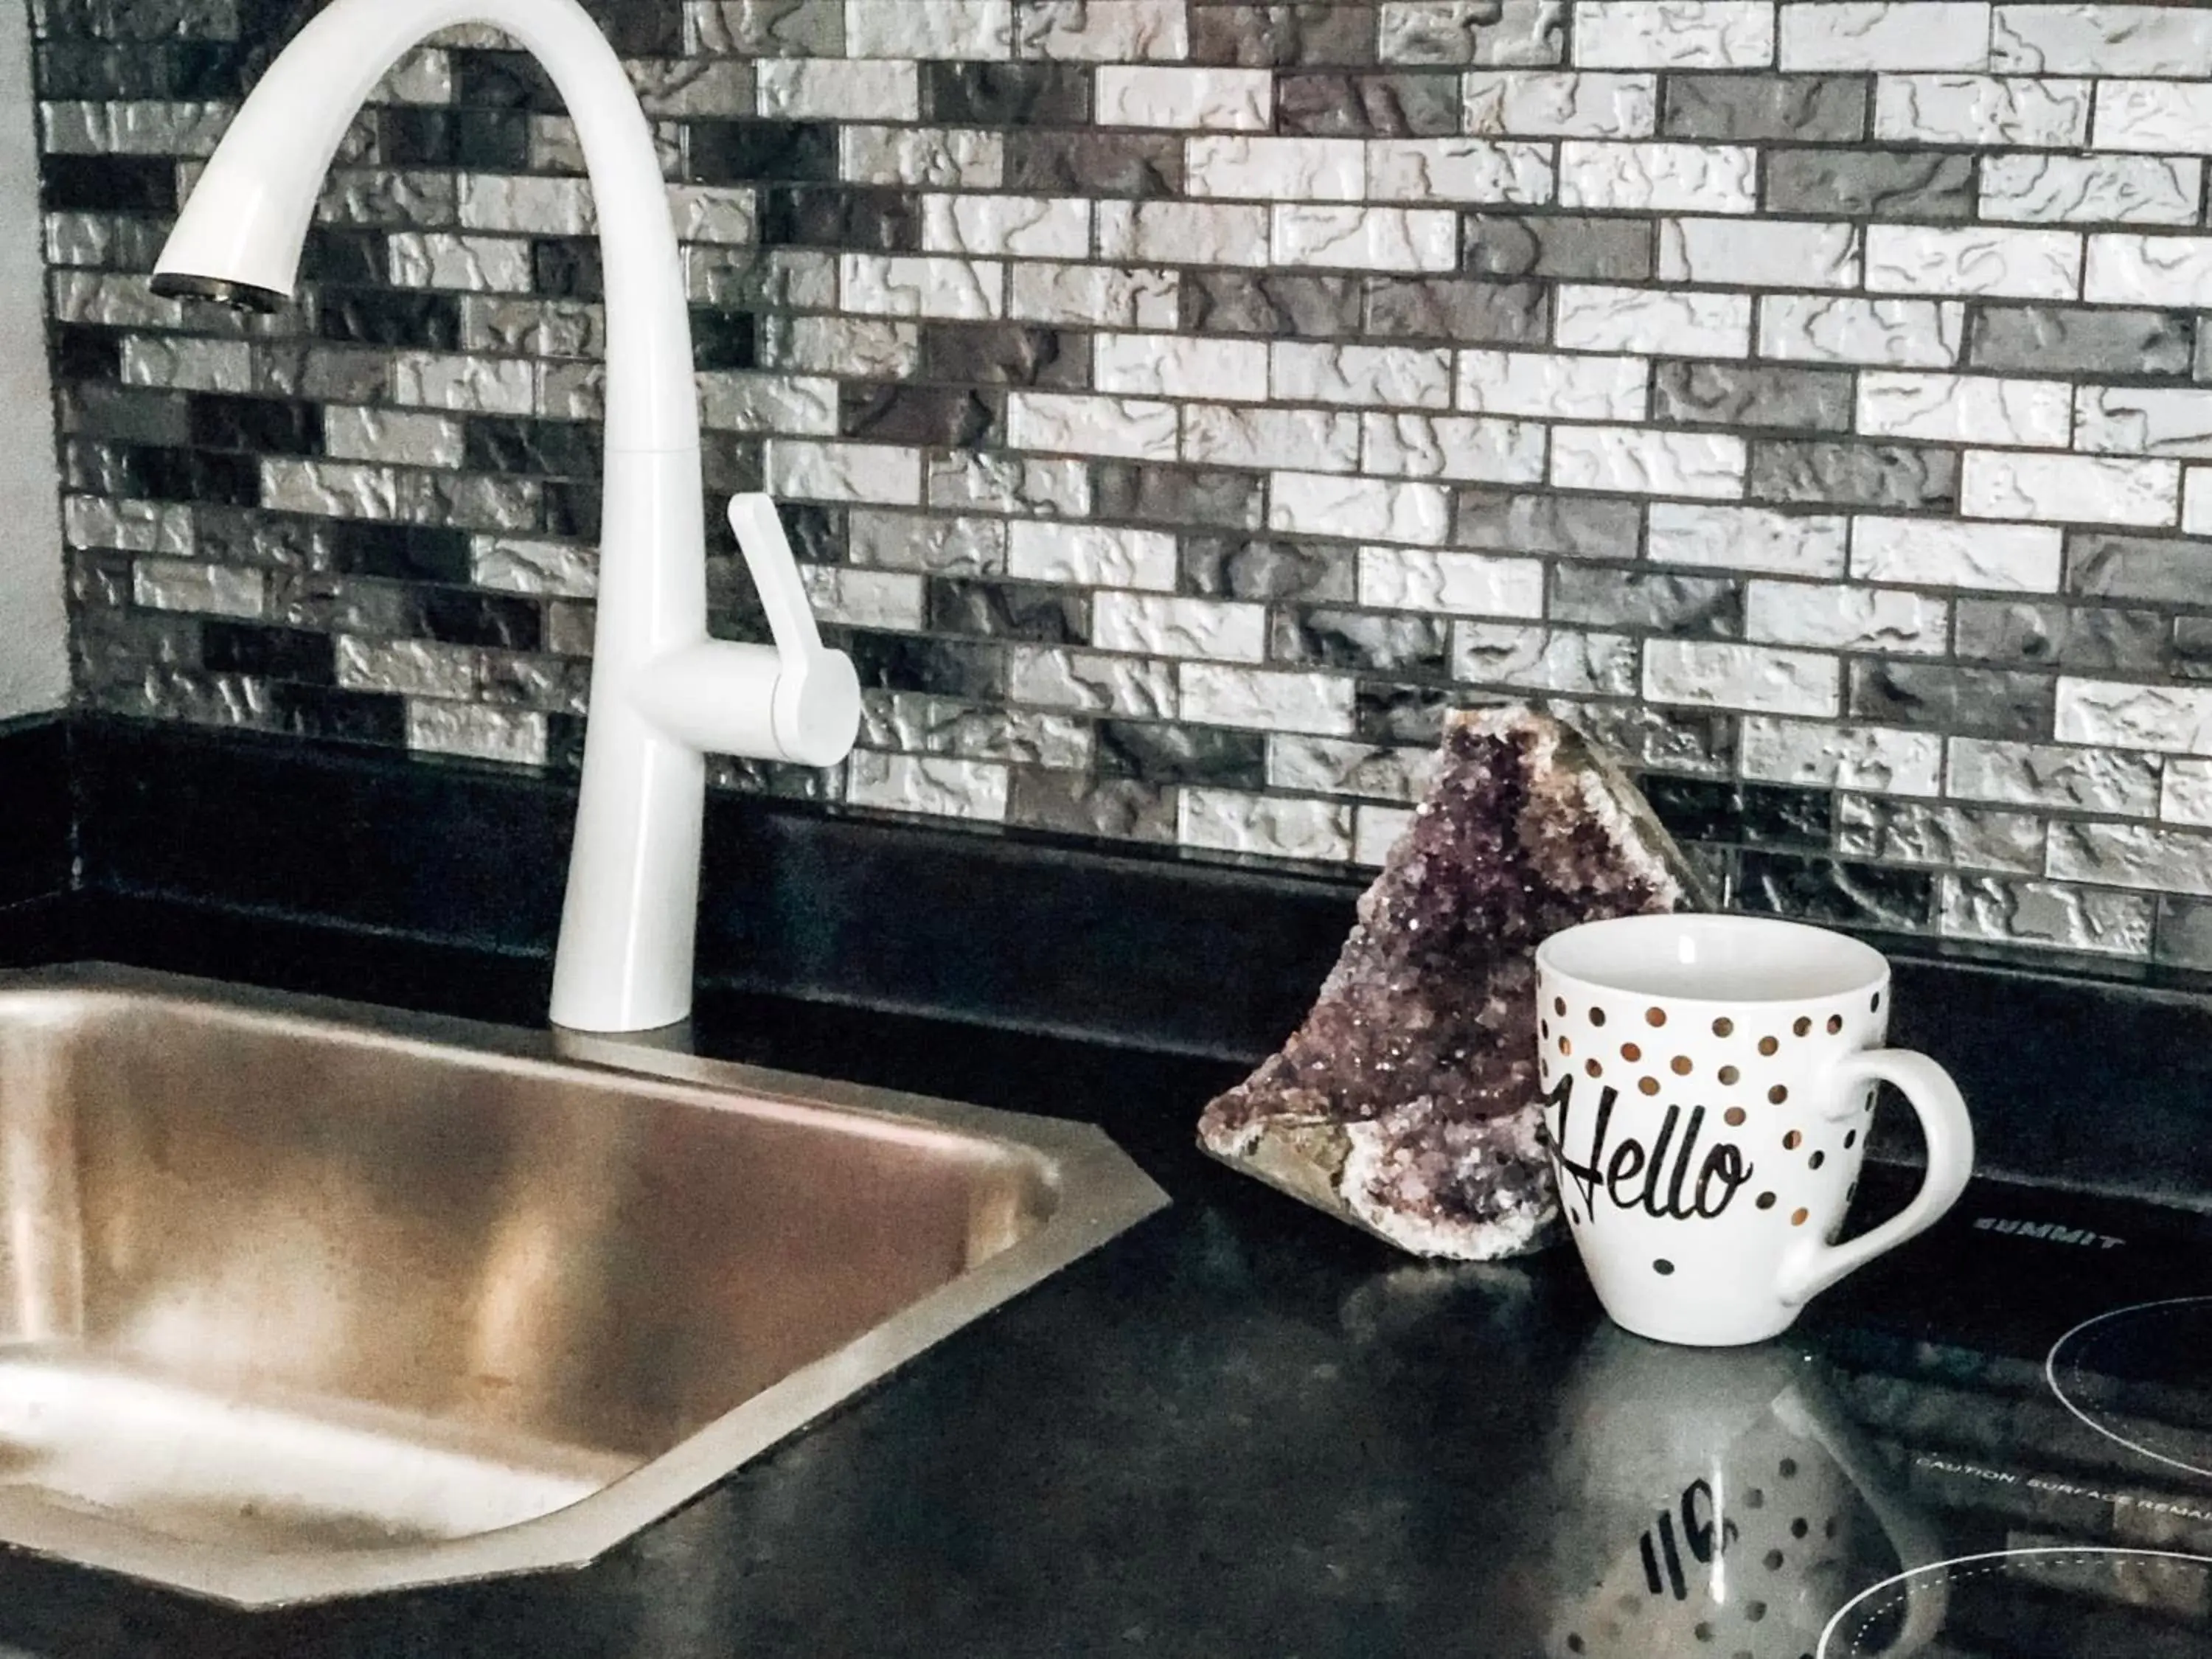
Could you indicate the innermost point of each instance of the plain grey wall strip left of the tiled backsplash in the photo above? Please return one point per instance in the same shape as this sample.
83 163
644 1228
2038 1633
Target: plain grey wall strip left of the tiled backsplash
34 632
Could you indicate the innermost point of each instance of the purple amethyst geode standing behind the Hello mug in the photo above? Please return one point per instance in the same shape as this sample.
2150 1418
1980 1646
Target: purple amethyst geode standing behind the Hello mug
1408 1100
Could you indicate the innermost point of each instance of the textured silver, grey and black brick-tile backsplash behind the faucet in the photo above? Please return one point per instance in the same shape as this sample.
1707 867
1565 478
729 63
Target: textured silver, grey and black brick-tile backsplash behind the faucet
1180 404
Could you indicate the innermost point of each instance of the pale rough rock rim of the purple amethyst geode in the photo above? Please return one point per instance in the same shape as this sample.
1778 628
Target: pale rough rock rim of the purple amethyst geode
1333 1165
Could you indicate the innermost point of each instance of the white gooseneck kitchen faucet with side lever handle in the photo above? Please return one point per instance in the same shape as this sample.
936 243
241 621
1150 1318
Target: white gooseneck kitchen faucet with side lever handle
662 693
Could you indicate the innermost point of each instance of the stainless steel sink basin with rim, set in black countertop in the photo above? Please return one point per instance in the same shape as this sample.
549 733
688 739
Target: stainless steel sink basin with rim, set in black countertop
304 1300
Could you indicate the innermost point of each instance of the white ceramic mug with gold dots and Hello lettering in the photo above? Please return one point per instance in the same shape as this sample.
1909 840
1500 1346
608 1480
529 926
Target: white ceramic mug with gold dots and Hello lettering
1709 1087
